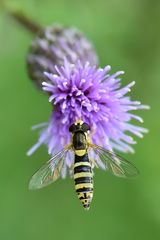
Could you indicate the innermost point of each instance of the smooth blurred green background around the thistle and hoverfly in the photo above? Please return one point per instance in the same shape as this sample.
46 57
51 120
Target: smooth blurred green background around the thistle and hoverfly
126 35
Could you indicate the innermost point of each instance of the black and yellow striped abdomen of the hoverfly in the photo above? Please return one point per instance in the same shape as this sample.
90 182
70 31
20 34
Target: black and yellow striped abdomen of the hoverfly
83 177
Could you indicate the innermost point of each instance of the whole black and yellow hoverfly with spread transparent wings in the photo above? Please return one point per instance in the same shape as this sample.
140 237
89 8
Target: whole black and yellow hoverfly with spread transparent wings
83 164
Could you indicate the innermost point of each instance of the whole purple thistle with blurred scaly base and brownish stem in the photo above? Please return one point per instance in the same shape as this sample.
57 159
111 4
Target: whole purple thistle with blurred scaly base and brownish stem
63 63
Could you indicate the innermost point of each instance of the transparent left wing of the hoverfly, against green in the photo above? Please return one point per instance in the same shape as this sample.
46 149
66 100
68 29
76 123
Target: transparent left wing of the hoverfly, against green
49 172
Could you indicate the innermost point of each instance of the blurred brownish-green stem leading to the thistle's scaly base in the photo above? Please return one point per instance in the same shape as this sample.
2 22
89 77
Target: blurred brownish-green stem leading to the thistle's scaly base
27 23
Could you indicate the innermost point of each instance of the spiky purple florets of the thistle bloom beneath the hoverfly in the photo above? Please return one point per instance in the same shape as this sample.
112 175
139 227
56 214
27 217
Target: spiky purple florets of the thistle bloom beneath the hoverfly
84 91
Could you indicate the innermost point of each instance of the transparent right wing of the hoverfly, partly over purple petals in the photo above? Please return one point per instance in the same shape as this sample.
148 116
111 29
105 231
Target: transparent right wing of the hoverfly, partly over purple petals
114 163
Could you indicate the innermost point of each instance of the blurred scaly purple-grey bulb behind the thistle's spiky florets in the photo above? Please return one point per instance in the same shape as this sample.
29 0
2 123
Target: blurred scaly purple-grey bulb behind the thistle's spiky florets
54 44
